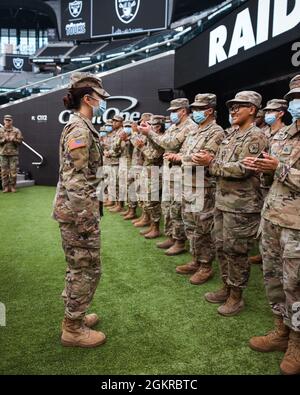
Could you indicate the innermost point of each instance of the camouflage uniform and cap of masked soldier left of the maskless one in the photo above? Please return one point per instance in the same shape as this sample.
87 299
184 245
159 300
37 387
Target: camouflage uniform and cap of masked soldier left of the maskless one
198 225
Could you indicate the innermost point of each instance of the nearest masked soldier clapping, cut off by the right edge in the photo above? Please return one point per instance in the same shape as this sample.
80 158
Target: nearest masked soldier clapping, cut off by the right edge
281 238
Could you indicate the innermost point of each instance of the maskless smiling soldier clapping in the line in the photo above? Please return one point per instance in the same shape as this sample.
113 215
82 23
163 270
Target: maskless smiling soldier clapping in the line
238 201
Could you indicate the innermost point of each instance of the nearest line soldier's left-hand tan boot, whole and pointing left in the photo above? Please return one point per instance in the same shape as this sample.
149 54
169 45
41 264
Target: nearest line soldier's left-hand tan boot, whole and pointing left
276 340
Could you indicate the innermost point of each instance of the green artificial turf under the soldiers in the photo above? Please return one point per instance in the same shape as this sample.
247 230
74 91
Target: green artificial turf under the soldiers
155 321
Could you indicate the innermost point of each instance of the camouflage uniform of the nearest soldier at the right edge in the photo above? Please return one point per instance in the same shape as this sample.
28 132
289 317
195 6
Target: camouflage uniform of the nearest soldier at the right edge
281 229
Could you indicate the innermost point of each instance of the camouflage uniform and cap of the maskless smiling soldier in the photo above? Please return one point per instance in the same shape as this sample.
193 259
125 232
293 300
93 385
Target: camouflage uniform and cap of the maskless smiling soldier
238 201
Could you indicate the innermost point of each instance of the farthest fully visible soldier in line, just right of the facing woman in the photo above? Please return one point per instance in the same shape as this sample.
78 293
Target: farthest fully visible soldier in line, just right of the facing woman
114 154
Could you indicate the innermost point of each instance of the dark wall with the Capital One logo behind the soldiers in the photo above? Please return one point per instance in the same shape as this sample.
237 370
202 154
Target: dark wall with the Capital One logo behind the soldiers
134 90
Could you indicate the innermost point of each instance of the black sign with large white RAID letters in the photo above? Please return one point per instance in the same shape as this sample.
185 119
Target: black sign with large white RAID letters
251 30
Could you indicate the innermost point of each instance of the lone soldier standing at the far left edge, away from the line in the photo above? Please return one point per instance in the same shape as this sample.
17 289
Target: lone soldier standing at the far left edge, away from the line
10 139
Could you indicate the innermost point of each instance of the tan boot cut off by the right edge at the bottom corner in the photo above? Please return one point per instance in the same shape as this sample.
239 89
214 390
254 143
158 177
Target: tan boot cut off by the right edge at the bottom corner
290 364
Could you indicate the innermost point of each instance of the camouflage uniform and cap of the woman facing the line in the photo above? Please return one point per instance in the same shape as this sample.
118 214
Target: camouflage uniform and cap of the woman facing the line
76 207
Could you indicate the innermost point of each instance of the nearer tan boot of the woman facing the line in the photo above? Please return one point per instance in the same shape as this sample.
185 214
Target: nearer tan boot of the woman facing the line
75 334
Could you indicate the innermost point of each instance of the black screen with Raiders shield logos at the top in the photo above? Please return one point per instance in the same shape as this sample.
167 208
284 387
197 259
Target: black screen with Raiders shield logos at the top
85 19
